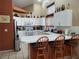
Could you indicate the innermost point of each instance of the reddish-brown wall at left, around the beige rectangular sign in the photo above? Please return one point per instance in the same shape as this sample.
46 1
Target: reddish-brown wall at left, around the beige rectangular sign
6 38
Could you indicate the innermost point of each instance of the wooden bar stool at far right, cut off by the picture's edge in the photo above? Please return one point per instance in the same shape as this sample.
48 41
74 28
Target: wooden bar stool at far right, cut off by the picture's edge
74 38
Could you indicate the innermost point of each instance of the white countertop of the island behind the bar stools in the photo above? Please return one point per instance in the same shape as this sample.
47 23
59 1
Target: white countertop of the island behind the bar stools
33 39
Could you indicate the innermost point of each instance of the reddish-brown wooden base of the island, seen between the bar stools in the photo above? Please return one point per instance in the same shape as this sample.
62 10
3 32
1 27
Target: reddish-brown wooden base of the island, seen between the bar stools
33 50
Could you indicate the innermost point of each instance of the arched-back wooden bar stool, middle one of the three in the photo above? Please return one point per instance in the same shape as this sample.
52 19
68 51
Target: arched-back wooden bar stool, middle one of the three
59 47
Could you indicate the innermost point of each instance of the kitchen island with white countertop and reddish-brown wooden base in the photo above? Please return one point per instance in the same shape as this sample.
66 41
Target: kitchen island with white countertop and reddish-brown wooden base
31 40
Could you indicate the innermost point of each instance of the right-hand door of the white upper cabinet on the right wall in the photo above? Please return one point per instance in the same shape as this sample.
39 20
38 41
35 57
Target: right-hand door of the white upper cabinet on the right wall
66 18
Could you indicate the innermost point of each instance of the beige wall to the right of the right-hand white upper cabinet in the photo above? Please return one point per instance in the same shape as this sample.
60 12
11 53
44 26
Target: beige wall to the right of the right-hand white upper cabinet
74 6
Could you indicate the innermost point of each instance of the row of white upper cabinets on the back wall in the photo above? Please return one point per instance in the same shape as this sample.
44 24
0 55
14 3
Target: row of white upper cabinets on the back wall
30 21
